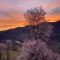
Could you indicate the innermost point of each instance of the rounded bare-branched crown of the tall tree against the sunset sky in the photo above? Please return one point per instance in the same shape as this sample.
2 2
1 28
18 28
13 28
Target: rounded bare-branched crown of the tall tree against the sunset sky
35 16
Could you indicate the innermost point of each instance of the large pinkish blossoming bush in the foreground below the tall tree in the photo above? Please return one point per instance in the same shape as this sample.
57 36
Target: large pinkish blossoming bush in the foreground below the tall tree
37 50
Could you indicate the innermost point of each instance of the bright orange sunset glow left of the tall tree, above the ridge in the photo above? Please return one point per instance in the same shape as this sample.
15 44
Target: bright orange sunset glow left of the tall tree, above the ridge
15 20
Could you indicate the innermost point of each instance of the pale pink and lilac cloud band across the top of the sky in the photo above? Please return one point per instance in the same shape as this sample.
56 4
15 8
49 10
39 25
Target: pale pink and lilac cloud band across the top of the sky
26 4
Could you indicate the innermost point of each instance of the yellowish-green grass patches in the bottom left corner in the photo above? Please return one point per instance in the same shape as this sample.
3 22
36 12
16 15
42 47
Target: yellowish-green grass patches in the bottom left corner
12 55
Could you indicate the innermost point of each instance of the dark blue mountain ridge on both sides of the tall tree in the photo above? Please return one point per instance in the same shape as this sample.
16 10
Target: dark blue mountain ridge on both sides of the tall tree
24 33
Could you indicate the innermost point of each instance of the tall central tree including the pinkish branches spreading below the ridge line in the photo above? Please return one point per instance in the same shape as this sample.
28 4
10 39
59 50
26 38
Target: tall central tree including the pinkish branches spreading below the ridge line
35 17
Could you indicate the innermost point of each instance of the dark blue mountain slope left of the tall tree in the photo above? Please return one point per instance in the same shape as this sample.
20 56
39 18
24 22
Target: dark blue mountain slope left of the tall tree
20 33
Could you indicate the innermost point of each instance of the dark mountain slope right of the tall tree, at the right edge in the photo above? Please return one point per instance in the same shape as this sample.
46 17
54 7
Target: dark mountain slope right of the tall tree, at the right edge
56 31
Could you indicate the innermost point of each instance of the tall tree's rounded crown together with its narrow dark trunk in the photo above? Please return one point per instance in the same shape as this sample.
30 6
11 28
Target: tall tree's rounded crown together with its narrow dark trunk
34 17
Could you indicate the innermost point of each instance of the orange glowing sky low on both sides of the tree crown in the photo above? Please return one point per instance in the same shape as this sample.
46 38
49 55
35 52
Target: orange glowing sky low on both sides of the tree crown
18 20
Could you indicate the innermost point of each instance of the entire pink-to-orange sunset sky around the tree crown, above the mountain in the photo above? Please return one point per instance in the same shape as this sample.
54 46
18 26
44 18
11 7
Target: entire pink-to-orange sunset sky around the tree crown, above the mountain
11 11
